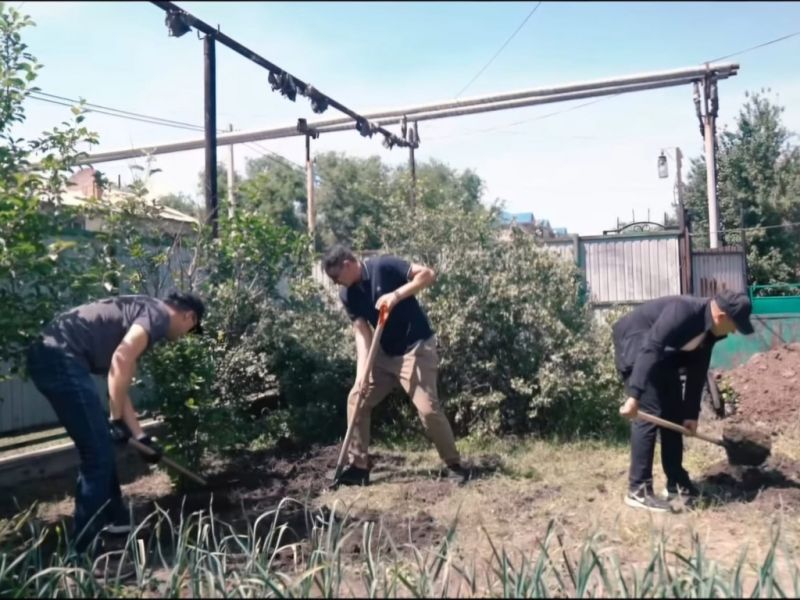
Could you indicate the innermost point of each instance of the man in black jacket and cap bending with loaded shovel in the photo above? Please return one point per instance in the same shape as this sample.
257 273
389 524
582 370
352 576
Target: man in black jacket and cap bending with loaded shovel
651 343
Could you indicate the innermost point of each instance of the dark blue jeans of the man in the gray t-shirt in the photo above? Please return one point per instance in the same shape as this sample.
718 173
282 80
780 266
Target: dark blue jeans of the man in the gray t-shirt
69 388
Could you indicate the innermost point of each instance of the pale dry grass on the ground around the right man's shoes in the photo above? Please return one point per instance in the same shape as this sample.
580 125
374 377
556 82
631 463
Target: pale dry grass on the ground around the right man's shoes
580 486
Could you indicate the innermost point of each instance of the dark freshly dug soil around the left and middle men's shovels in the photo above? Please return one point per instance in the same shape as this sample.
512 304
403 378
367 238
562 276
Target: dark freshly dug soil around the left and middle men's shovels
241 490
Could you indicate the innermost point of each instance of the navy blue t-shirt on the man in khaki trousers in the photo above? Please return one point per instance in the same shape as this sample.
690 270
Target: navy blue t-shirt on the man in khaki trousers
407 323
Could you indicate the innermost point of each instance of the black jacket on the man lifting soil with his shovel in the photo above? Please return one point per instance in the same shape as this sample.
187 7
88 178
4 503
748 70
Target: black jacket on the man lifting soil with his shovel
654 333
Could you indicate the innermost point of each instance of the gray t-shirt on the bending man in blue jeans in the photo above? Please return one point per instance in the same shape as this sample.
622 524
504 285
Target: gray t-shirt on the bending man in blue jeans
91 332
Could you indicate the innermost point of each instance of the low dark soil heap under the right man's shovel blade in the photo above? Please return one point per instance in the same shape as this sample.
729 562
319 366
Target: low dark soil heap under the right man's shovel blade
776 482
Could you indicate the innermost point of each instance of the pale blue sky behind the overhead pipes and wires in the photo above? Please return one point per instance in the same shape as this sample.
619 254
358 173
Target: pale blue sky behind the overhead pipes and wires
580 169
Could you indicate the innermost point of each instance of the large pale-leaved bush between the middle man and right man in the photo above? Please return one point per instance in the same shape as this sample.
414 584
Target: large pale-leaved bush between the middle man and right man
519 350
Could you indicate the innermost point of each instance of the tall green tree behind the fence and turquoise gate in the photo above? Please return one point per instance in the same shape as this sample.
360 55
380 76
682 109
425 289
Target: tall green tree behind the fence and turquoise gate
758 187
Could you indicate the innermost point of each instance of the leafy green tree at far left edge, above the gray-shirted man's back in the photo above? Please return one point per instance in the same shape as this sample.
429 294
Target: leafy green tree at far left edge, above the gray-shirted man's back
41 264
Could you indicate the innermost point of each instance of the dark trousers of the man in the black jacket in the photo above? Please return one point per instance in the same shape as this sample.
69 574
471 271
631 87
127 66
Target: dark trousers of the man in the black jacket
663 397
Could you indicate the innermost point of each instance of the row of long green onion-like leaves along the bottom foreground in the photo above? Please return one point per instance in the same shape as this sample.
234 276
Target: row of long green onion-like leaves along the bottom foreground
202 556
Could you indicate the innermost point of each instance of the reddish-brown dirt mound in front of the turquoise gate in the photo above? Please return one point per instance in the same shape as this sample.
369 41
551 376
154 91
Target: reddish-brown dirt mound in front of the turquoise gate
767 388
